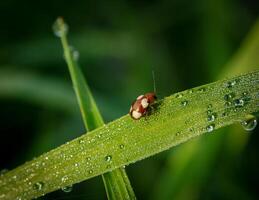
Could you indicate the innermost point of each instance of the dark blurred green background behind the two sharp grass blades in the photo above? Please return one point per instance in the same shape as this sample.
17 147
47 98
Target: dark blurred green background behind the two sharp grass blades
186 43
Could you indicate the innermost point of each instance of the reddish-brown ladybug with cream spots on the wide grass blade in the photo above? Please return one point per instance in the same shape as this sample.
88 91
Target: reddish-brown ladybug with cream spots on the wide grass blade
140 106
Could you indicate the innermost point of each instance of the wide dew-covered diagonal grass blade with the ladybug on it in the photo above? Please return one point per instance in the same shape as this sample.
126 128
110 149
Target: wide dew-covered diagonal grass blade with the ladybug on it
174 120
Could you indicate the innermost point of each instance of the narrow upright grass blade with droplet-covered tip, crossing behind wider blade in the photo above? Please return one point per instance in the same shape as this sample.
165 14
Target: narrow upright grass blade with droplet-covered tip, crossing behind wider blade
116 185
